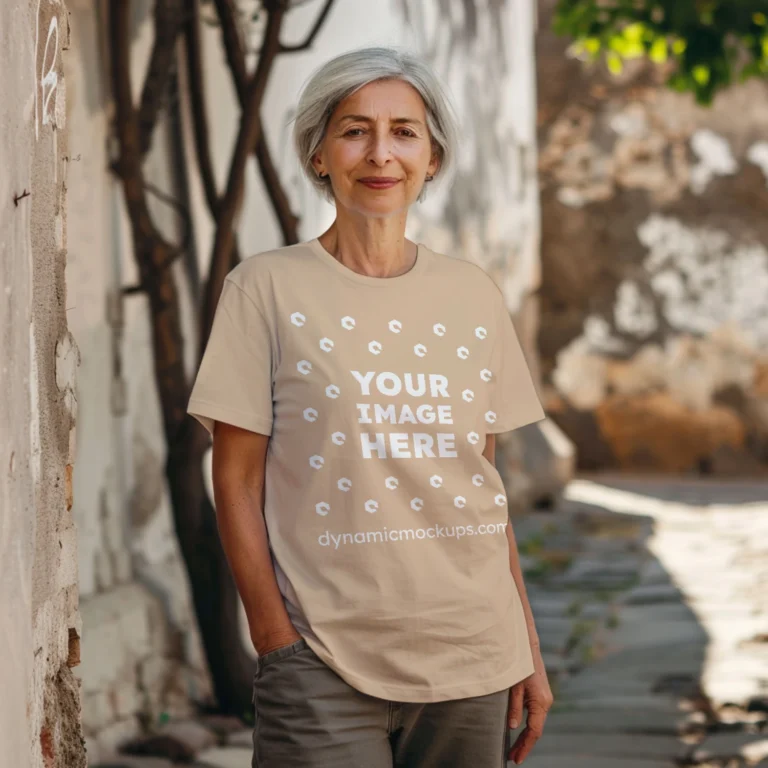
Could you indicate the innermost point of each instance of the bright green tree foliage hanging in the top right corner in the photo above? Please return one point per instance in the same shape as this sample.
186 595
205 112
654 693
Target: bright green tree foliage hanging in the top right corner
710 43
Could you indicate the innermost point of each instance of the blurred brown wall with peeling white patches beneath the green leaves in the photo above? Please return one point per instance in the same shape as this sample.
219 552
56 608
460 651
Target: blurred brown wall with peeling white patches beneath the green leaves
654 326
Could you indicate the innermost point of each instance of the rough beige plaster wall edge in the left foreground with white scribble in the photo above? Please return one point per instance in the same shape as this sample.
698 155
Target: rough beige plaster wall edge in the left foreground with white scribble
40 627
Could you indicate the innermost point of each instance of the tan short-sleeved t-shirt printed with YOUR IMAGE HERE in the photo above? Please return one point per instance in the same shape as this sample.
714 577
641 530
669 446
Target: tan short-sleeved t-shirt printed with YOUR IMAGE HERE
386 522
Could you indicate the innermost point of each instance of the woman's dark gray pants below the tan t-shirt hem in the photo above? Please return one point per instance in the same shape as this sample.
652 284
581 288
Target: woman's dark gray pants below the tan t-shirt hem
307 716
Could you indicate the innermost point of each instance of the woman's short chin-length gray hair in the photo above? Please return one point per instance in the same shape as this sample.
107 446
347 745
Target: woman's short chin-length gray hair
340 77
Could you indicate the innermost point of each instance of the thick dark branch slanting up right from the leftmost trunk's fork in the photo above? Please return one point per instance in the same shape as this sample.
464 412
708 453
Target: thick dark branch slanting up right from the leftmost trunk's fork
169 18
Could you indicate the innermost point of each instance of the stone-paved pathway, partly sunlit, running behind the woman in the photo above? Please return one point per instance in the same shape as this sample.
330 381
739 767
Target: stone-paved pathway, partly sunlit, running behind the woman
651 600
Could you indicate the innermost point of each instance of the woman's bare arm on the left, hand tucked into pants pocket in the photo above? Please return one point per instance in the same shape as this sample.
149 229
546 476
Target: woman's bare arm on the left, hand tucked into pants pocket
239 459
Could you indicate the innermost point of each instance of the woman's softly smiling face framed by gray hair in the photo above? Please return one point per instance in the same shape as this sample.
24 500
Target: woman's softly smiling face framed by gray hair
377 149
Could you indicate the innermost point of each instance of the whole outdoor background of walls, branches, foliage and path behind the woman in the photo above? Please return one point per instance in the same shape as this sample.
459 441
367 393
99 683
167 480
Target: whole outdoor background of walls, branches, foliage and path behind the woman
613 181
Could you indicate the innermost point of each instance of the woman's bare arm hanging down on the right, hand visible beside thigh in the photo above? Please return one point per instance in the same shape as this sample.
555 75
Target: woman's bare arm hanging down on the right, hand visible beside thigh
534 691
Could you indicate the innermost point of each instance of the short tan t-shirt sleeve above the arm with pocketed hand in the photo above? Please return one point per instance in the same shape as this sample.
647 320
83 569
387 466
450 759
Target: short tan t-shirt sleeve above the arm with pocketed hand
234 380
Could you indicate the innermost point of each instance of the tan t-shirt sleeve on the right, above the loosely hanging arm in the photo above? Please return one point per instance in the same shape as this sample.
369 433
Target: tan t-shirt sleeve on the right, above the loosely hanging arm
513 395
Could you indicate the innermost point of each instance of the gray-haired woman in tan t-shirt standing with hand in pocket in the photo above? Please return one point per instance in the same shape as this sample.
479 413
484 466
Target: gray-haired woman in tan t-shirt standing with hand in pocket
354 385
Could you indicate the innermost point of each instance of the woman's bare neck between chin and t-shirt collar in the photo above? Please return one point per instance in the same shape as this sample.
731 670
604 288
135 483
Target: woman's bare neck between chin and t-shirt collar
373 247
